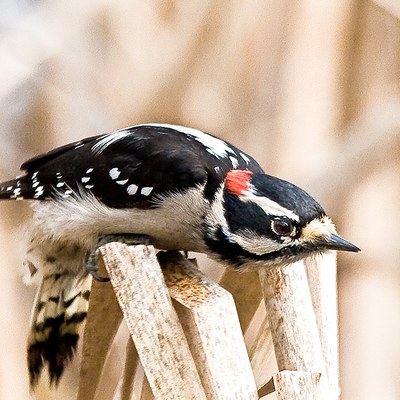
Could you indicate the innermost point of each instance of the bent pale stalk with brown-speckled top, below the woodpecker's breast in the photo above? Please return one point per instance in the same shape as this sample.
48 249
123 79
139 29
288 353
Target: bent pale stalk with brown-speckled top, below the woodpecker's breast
212 327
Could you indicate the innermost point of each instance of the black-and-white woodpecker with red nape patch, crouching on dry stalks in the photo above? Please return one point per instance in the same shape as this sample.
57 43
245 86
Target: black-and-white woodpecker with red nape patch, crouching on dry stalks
180 187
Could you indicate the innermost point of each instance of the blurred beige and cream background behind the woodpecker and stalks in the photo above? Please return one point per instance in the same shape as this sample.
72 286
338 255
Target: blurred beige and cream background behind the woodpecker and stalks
310 88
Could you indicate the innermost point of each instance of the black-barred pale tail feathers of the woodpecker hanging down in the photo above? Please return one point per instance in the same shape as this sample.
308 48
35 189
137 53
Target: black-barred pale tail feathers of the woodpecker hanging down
60 308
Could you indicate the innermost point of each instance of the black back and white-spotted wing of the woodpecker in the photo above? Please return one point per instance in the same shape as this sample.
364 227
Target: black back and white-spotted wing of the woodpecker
131 167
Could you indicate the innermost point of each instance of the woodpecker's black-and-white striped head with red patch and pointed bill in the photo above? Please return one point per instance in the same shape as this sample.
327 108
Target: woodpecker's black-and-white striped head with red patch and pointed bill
262 220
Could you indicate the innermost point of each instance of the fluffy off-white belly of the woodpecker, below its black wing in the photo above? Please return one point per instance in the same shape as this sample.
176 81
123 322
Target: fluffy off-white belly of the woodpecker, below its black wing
176 223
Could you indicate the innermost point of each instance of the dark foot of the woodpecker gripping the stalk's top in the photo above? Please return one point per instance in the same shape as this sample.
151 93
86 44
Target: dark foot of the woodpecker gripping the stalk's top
128 238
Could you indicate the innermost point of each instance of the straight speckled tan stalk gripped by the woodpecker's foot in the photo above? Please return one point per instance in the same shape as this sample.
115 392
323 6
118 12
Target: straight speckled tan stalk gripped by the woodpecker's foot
152 321
